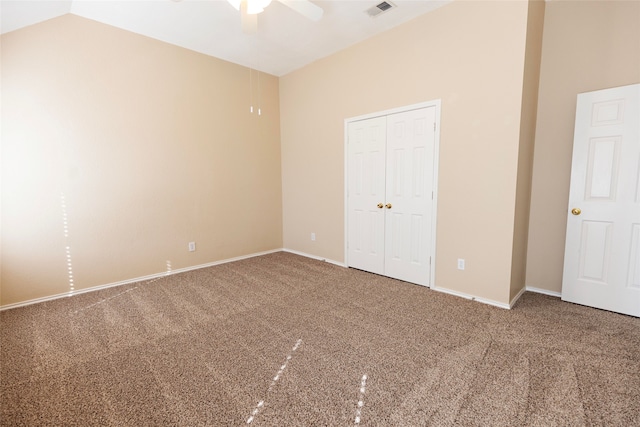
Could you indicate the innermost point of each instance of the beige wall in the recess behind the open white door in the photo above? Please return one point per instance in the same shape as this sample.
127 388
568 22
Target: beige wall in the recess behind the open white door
587 45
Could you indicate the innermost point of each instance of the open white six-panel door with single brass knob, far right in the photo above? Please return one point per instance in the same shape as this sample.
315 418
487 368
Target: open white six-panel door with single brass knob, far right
602 255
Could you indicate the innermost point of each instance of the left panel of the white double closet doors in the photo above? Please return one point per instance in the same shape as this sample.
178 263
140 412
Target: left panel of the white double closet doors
366 186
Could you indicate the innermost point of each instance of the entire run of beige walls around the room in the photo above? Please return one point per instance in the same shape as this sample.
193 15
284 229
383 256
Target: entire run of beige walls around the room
151 150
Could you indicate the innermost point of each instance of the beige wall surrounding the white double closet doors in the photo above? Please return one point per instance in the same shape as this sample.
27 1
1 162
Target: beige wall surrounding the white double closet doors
469 54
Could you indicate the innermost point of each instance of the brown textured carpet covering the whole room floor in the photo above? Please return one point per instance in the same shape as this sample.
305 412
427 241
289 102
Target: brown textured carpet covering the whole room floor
281 340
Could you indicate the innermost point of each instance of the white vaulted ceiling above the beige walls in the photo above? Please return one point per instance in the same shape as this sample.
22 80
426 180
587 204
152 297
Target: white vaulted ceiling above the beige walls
285 40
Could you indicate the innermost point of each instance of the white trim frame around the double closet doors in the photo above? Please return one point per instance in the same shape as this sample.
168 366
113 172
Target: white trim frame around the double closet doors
436 161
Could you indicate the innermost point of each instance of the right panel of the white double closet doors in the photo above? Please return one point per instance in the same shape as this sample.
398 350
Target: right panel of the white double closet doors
409 195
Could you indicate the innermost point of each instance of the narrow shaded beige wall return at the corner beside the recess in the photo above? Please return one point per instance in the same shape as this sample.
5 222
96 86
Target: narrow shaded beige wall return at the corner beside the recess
535 23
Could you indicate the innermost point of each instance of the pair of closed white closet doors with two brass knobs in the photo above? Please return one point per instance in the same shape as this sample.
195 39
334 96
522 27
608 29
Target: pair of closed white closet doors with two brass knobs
390 184
